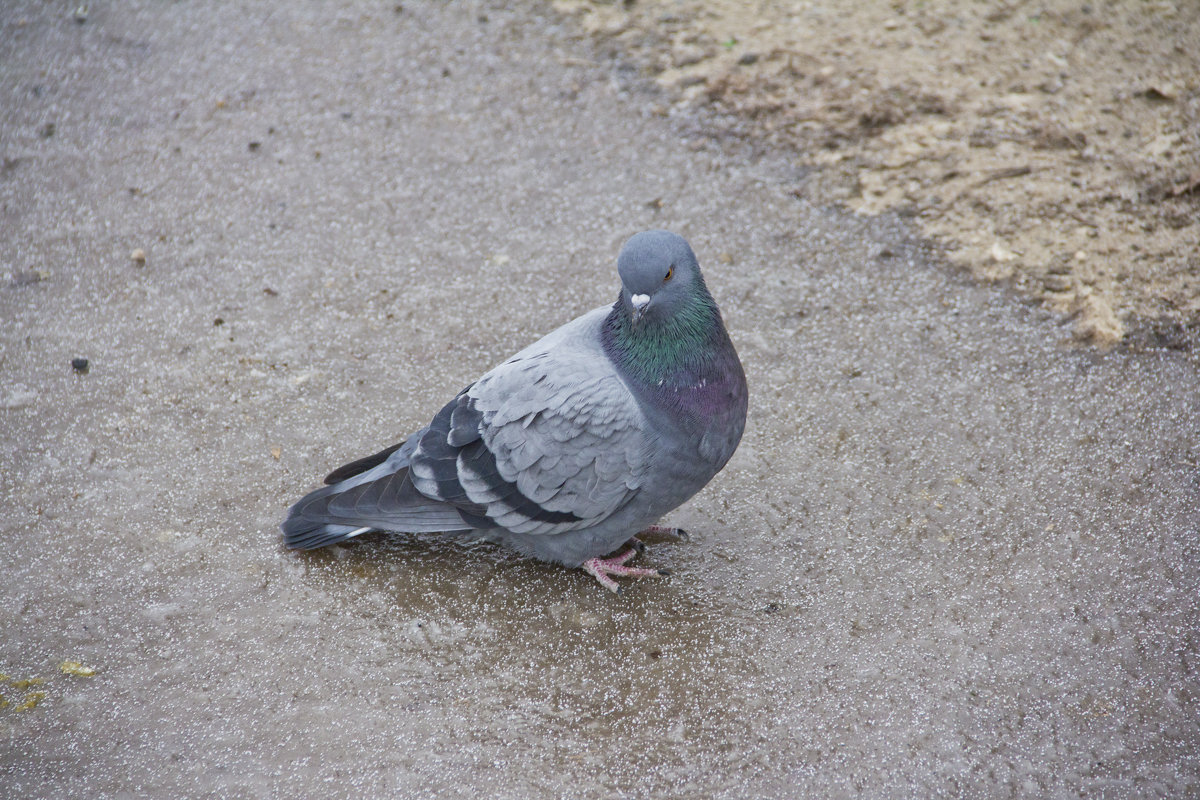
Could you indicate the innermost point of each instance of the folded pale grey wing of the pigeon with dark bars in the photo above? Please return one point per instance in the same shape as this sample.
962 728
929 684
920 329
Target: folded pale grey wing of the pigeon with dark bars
551 441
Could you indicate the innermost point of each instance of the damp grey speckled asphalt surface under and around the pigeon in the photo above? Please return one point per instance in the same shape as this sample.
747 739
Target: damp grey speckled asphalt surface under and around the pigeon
955 556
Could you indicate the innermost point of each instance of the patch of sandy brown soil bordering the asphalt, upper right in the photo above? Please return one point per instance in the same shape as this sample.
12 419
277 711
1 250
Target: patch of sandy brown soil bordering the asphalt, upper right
1052 146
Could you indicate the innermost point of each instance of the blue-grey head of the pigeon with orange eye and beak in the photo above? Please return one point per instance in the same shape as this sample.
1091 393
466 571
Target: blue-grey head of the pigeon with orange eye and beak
659 276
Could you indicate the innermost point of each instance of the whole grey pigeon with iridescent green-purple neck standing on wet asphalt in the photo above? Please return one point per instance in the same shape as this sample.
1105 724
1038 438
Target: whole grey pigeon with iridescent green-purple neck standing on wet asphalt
573 446
